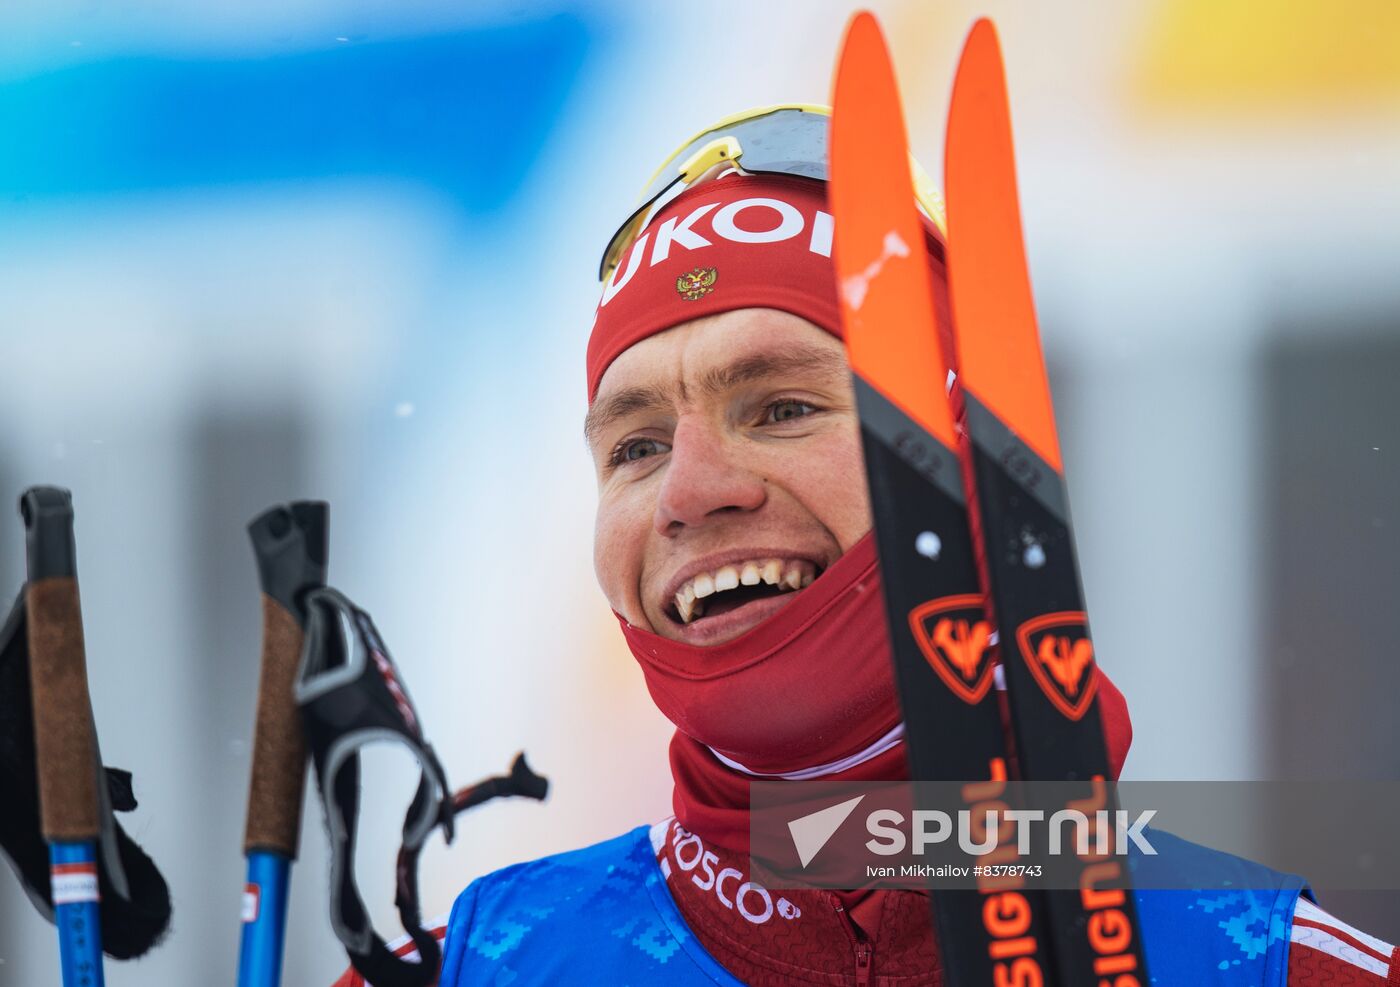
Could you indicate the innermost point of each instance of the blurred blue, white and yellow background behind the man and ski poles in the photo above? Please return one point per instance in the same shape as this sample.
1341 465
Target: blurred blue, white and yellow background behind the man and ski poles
264 251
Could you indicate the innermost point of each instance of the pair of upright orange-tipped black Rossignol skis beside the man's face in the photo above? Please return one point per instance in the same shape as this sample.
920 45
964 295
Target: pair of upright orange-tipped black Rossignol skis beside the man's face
971 507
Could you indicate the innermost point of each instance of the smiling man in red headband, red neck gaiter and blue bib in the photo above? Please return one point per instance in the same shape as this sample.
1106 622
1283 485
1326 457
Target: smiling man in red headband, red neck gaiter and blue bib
733 542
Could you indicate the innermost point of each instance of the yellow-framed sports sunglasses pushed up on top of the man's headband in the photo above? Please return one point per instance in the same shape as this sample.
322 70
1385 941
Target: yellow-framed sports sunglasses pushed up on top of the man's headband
787 139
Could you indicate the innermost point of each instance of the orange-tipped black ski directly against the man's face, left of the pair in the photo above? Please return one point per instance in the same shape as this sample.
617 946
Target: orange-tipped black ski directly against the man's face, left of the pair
934 605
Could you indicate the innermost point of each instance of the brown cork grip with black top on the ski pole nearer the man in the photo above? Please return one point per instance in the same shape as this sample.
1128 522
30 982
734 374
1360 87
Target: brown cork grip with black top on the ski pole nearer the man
290 547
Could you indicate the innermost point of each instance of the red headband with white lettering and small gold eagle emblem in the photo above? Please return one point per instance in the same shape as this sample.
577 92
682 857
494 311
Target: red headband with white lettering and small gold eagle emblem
751 241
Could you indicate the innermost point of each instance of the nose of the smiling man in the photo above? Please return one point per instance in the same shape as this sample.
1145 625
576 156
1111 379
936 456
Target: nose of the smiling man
705 478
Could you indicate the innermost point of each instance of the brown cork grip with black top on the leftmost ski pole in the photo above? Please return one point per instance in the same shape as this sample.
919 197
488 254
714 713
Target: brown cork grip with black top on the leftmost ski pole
64 733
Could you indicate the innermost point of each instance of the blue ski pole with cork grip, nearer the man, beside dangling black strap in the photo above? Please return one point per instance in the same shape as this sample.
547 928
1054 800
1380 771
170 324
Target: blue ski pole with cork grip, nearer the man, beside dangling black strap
290 548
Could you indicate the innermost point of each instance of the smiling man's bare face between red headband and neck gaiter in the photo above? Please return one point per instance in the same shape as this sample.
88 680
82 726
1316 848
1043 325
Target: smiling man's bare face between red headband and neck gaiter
730 472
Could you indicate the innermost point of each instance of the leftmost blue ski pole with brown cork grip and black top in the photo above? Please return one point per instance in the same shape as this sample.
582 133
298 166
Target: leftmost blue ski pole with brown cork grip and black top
65 736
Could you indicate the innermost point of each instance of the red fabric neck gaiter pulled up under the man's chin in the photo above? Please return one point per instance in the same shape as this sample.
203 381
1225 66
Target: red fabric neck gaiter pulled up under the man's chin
811 687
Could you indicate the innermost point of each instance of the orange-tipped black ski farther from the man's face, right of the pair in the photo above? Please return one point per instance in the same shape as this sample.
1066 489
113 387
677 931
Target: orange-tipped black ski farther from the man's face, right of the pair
1021 509
